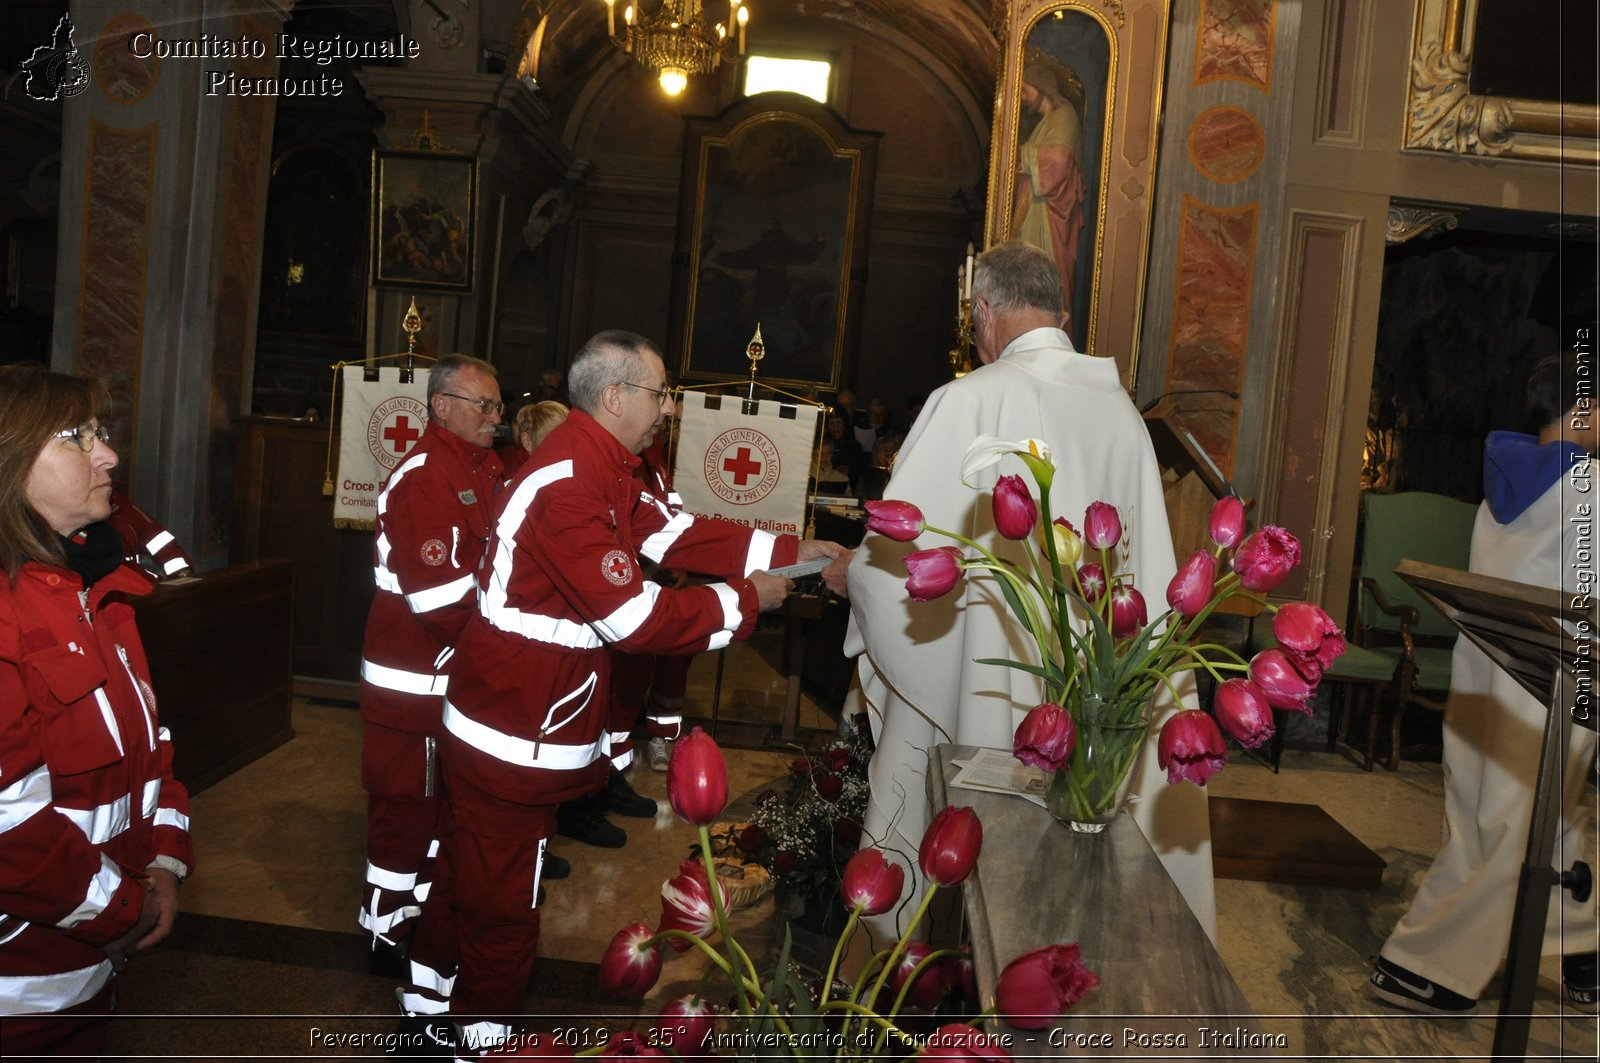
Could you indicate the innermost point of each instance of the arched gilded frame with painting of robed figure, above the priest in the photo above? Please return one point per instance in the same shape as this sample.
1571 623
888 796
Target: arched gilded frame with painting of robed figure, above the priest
1105 62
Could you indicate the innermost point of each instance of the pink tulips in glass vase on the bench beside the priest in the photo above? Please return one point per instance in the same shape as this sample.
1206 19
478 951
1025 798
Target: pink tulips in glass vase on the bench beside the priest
1102 659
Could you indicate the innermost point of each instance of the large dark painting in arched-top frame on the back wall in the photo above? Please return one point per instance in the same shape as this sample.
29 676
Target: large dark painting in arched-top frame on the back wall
774 235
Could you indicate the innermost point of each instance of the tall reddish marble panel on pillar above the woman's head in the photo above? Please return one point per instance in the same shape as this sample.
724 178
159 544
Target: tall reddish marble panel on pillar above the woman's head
113 271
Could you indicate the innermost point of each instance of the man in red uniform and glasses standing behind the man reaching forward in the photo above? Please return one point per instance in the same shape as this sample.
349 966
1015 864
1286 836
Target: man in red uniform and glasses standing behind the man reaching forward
433 524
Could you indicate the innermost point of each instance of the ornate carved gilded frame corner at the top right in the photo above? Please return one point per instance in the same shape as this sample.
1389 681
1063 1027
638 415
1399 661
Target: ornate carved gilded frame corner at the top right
1444 116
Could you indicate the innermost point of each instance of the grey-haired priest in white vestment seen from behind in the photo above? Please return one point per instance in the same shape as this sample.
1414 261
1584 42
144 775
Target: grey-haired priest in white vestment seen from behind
918 668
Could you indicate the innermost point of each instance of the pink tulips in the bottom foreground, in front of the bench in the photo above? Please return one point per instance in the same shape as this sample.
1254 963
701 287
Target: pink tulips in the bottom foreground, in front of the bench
876 1014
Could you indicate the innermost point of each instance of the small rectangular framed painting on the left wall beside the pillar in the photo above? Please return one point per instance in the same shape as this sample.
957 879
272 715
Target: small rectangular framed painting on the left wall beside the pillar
425 217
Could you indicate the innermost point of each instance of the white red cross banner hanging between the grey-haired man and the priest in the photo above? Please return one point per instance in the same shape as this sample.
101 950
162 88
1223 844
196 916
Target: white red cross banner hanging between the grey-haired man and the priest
751 468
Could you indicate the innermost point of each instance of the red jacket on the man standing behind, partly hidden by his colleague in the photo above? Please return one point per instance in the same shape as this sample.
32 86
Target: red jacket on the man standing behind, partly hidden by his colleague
431 531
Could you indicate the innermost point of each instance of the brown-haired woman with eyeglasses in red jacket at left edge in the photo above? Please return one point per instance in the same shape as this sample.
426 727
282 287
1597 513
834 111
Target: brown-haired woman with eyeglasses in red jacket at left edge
94 828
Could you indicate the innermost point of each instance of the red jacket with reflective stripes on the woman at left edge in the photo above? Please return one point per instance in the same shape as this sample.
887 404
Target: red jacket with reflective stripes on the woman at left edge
87 792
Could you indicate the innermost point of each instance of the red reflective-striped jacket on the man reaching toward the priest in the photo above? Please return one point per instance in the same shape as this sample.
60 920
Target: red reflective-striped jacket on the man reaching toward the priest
527 707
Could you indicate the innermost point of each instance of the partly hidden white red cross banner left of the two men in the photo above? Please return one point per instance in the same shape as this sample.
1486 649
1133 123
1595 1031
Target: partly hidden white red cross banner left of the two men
380 425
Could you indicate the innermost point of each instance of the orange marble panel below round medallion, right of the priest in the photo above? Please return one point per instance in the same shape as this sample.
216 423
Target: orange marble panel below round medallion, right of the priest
1217 254
